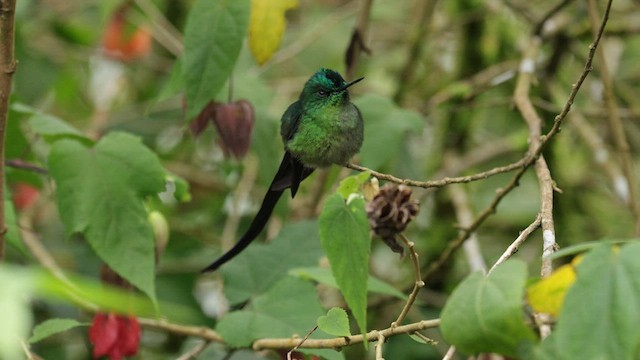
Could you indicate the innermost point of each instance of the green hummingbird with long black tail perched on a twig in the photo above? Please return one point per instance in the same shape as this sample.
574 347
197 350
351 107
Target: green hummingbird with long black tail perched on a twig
322 128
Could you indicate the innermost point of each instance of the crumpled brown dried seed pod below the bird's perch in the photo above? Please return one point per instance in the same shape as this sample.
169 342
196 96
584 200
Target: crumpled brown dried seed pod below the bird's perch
390 212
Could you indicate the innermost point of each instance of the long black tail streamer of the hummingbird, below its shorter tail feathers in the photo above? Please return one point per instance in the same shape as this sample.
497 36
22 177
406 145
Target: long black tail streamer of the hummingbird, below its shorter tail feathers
258 223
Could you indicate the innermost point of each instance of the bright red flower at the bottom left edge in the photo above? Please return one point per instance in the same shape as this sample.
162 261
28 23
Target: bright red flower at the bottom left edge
114 336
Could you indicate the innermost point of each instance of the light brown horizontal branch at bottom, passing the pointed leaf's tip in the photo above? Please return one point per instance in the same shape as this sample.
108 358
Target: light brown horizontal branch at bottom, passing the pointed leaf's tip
288 343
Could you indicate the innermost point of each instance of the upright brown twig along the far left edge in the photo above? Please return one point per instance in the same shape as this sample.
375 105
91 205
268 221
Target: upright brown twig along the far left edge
7 68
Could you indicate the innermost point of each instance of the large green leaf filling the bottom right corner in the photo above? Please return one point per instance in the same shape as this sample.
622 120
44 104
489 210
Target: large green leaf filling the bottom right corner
599 318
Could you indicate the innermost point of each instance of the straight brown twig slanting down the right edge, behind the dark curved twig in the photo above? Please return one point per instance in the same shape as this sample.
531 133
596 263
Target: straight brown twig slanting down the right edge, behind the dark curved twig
616 125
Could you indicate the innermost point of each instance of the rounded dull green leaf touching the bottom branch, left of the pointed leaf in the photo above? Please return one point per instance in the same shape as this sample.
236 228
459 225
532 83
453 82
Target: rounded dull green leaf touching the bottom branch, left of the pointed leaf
290 307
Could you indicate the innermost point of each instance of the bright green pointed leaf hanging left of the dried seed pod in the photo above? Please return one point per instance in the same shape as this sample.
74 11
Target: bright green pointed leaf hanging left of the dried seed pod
345 238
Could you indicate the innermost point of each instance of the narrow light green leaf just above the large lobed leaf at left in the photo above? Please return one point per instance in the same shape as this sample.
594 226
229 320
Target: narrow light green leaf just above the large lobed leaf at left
48 126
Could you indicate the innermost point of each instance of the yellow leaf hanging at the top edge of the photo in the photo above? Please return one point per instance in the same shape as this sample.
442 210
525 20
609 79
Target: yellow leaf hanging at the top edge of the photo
266 26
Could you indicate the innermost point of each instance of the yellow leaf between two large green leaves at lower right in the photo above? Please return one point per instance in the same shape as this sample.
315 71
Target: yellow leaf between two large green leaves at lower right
547 295
